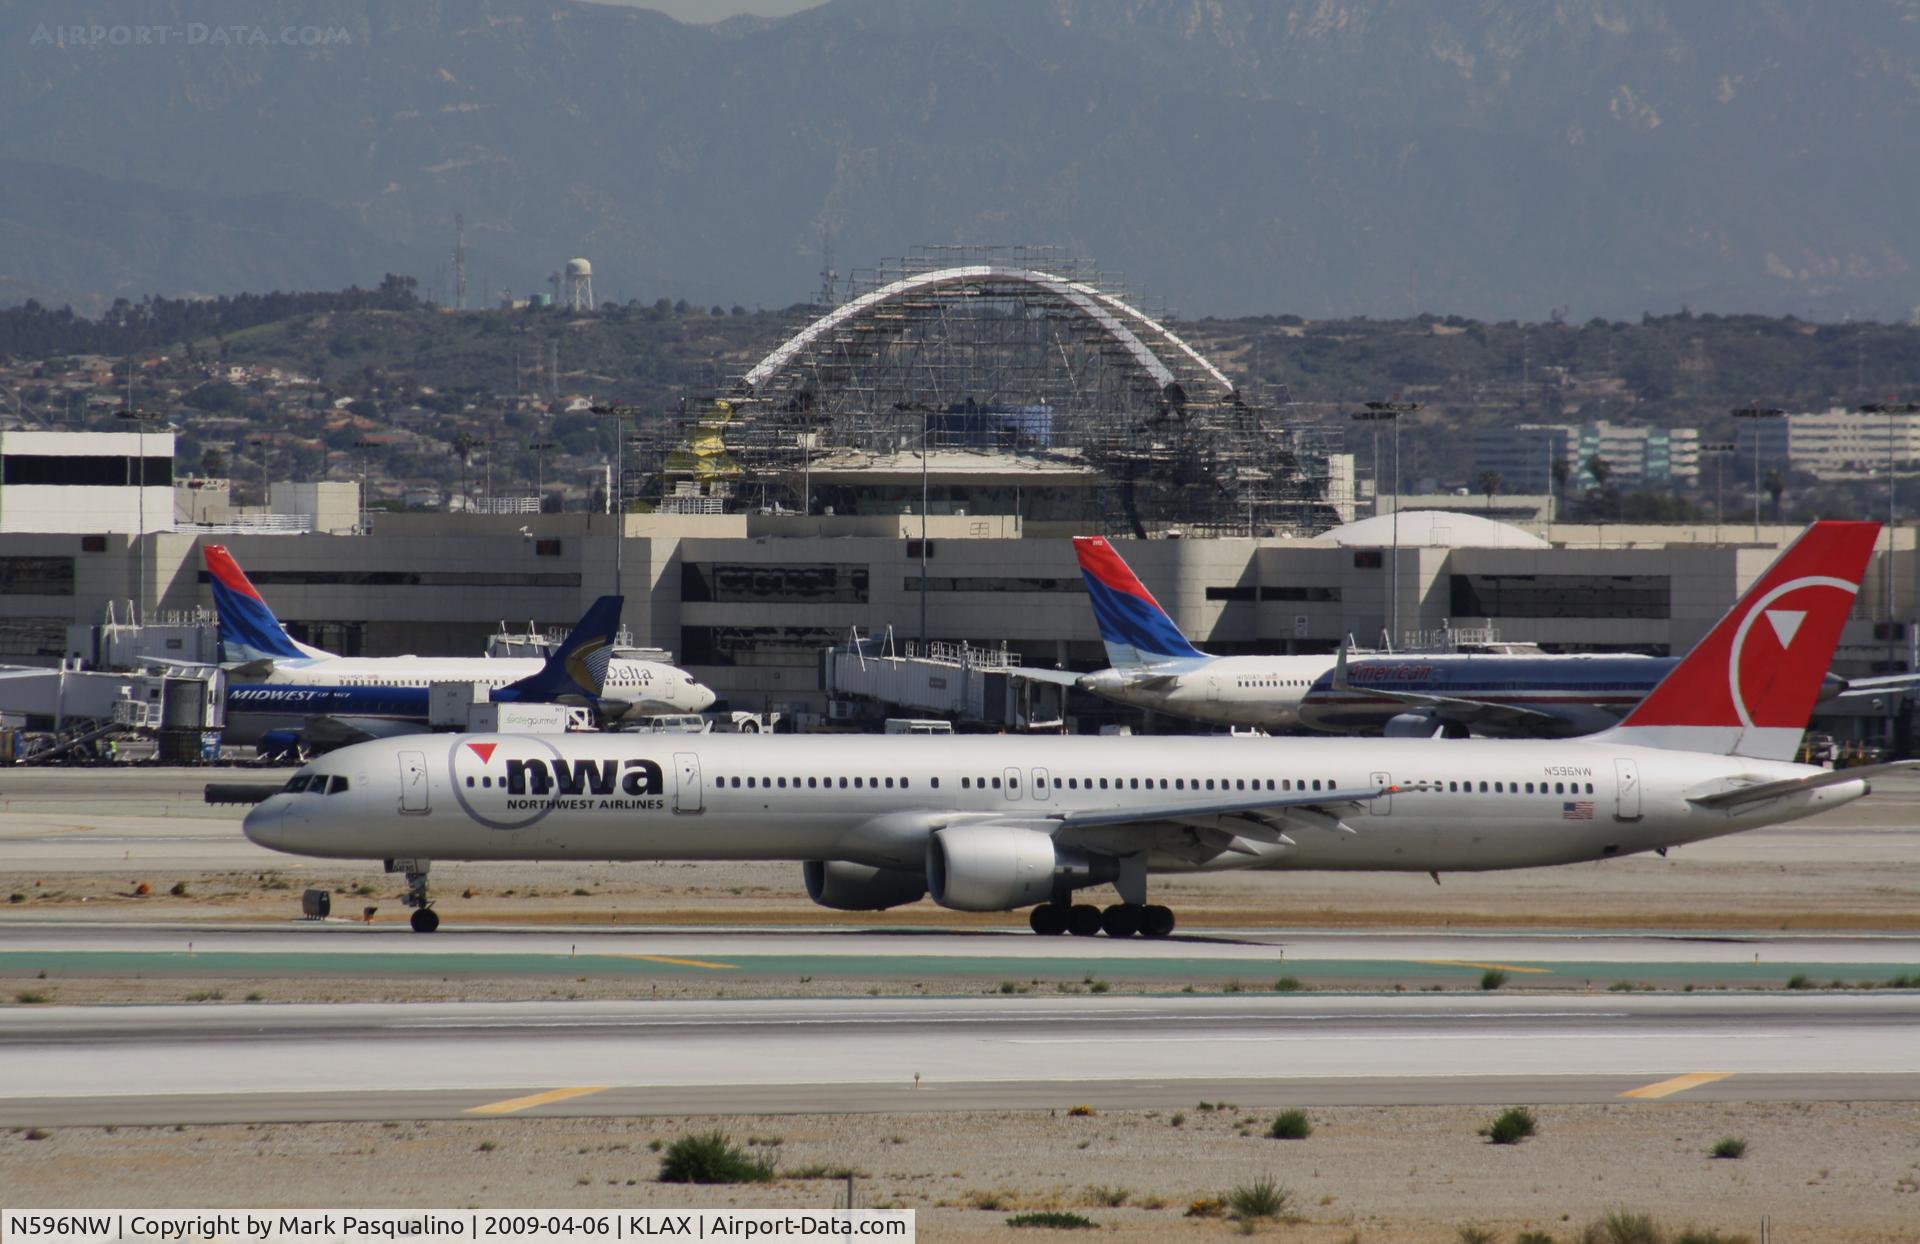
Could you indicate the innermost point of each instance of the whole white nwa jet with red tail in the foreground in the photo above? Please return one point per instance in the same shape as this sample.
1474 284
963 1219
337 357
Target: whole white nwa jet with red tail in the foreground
990 825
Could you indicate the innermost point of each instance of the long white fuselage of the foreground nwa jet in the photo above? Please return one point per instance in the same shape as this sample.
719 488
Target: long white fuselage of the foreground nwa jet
1462 805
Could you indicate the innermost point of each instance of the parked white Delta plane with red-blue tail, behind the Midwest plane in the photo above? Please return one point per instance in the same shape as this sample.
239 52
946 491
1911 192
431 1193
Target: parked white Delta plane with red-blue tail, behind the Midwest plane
251 634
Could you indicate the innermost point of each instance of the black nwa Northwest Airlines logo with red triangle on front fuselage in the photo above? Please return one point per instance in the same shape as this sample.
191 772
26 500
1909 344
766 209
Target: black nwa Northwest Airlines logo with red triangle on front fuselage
510 784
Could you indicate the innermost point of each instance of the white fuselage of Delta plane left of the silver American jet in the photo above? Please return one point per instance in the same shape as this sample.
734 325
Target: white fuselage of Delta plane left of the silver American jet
1228 690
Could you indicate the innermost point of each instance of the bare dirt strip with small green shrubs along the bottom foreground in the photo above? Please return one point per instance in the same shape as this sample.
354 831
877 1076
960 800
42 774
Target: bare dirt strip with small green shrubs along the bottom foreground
1381 1176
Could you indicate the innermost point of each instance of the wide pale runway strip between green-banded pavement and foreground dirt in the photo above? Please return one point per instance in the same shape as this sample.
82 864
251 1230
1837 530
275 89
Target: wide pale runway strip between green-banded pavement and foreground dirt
176 1065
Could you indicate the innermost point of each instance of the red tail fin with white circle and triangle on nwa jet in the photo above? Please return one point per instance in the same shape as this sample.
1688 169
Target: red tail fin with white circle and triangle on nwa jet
1750 686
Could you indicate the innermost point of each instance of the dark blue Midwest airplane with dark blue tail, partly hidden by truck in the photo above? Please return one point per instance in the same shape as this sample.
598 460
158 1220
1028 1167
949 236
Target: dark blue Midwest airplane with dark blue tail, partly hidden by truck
322 717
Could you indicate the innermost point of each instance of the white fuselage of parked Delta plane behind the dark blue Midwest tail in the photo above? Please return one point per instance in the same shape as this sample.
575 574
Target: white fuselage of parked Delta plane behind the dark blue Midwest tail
646 686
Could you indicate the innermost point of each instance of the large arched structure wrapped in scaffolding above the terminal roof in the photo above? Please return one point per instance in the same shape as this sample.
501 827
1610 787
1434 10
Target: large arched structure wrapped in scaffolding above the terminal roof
961 373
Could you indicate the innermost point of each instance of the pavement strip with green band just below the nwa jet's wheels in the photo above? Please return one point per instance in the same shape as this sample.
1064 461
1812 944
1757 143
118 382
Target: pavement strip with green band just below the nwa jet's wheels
1347 961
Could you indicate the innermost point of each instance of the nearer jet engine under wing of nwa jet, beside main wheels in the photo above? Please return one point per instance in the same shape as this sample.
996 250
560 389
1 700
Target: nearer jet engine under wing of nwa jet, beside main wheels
996 869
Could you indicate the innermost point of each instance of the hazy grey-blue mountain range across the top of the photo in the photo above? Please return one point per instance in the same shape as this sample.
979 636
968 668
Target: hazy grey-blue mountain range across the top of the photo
1491 158
